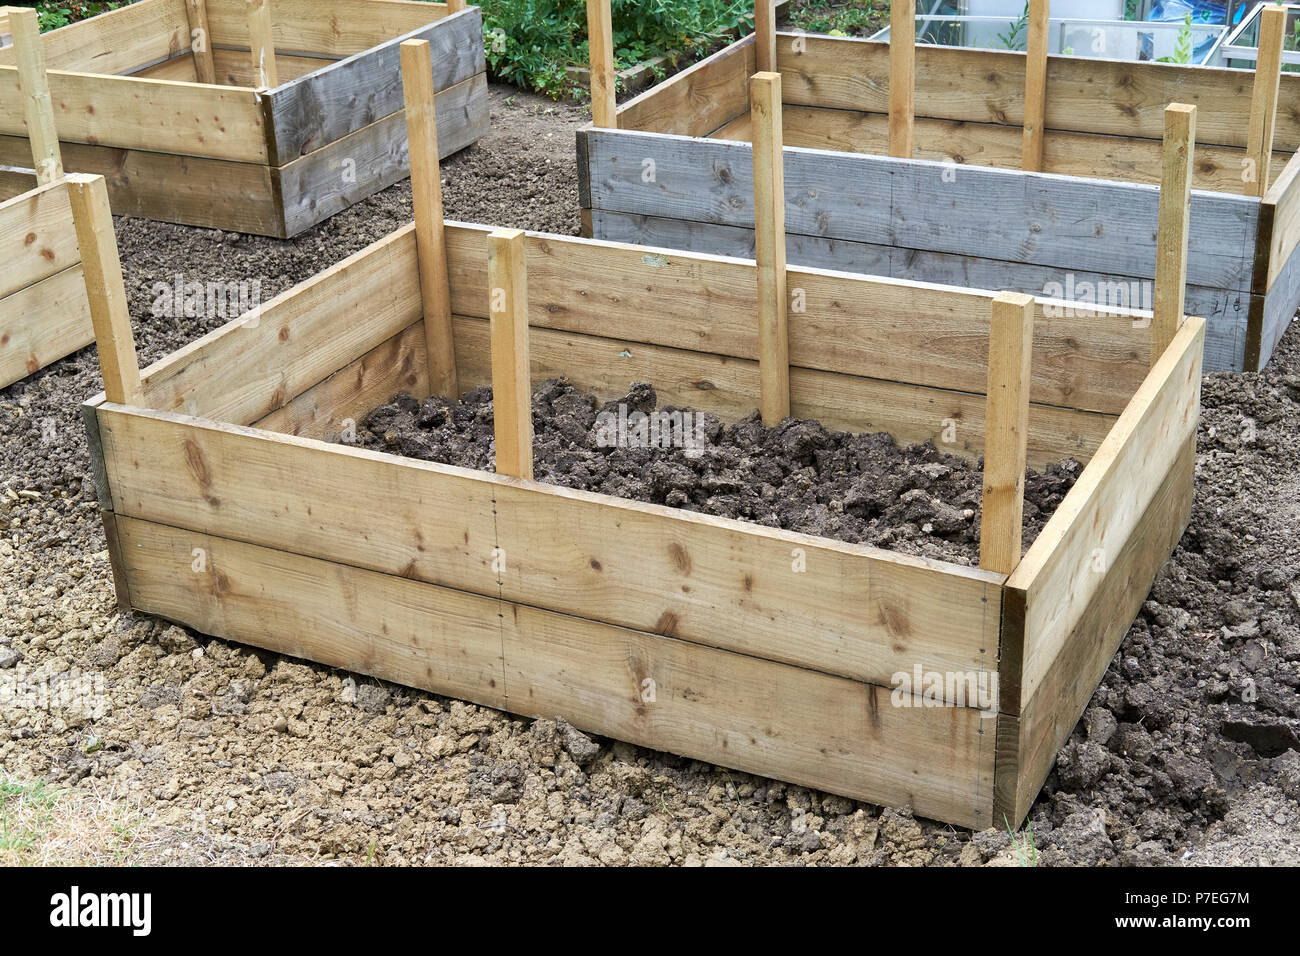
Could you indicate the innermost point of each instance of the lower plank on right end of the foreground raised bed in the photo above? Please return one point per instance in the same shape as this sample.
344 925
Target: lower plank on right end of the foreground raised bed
1028 745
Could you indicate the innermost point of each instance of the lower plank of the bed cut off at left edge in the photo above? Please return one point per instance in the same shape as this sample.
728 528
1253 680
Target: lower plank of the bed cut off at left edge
44 323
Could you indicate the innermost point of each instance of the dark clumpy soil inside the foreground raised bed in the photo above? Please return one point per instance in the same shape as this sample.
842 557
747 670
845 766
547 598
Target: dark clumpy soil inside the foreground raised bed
799 477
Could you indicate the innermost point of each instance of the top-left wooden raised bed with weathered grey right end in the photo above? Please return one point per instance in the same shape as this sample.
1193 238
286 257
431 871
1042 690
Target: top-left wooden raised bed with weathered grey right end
283 118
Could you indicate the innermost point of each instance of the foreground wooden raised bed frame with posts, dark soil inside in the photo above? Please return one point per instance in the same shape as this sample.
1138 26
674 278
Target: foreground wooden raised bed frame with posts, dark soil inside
228 507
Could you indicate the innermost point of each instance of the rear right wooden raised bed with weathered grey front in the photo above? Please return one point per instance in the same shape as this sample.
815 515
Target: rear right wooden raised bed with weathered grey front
948 197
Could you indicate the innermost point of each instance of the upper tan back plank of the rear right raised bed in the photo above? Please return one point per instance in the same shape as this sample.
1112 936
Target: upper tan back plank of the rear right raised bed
1089 96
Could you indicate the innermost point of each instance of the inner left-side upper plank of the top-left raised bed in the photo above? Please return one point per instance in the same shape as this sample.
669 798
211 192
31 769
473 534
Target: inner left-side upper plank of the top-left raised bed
116 41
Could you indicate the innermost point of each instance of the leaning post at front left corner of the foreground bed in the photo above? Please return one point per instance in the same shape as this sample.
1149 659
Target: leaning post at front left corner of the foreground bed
105 288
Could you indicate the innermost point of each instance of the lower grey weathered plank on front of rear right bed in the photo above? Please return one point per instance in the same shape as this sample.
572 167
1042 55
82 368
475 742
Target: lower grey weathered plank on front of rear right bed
1227 313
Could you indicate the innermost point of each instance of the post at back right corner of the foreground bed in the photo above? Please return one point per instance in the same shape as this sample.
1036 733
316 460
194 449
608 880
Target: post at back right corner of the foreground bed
1176 198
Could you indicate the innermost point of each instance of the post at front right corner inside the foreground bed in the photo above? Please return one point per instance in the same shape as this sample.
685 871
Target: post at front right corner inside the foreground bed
1007 432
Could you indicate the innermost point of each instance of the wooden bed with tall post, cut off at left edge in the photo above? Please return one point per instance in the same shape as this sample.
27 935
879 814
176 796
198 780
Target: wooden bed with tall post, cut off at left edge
45 313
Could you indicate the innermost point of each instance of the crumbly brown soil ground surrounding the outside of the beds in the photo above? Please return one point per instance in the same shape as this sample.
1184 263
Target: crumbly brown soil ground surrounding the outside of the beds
1188 755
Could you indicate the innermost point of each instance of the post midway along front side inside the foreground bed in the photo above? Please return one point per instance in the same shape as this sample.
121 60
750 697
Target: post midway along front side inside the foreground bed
512 386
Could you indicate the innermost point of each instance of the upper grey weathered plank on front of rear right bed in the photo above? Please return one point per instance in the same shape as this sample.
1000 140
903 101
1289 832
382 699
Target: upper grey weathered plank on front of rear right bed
1072 223
